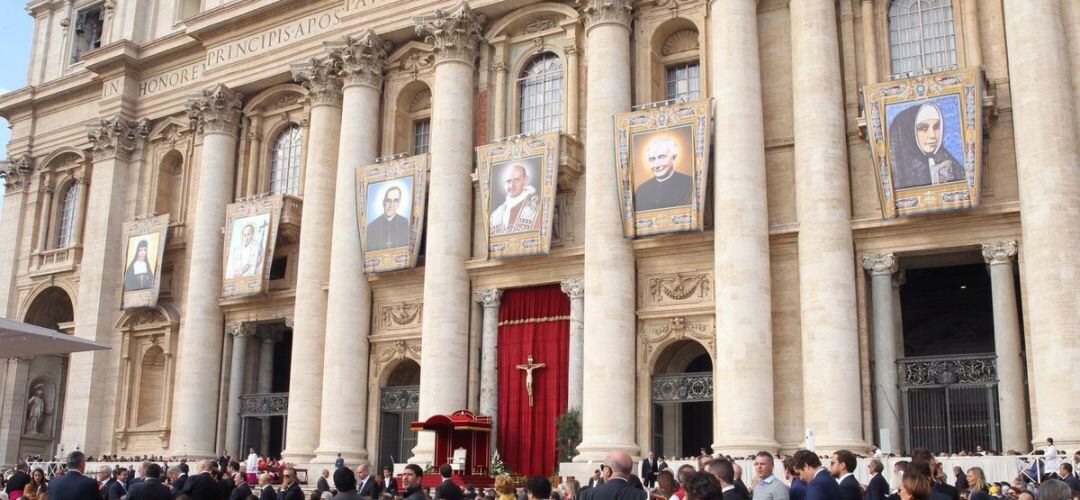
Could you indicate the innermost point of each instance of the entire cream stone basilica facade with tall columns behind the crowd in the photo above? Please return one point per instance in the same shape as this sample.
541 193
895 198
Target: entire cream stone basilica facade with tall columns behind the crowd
804 310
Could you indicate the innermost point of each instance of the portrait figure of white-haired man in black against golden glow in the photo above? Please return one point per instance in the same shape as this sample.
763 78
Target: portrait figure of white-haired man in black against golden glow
668 188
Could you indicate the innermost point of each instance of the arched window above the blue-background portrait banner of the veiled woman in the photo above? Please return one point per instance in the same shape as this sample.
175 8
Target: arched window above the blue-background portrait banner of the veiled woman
922 36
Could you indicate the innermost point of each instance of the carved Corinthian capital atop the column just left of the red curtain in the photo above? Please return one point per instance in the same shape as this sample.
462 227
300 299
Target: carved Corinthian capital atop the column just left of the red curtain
454 34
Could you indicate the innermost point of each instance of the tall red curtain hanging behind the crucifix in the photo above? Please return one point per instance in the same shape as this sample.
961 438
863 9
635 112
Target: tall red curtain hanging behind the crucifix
532 321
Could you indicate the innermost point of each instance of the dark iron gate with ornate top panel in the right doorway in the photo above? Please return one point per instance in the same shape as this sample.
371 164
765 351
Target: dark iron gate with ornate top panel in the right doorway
950 403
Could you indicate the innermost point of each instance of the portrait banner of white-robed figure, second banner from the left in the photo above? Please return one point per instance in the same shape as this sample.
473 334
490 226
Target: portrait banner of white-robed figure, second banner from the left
251 232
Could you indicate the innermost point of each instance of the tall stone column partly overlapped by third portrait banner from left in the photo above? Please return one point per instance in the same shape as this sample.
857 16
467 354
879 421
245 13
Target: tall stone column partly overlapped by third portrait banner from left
349 304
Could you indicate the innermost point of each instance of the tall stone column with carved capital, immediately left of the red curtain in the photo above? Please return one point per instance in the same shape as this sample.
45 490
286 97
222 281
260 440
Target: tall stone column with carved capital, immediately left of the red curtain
454 35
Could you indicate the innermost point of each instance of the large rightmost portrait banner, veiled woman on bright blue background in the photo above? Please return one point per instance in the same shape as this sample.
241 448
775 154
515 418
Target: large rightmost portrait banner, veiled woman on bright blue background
926 138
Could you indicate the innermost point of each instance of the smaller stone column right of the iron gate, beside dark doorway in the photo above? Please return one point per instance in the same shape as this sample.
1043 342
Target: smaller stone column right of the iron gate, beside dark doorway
1007 346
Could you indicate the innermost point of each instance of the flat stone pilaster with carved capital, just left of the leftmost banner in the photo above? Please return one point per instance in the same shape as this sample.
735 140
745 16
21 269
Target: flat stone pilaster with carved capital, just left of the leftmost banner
116 144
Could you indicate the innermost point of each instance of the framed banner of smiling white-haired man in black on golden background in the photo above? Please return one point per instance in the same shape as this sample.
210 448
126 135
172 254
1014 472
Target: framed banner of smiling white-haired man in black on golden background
663 167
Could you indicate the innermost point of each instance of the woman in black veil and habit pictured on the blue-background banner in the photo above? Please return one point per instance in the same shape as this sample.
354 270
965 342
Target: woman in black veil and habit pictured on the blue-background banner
916 152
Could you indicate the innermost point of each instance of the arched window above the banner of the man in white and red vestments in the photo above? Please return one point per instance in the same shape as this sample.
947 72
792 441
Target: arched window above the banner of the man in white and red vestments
542 90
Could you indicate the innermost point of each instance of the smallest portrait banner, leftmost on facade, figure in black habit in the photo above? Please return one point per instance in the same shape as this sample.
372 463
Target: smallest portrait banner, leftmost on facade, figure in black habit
143 253
